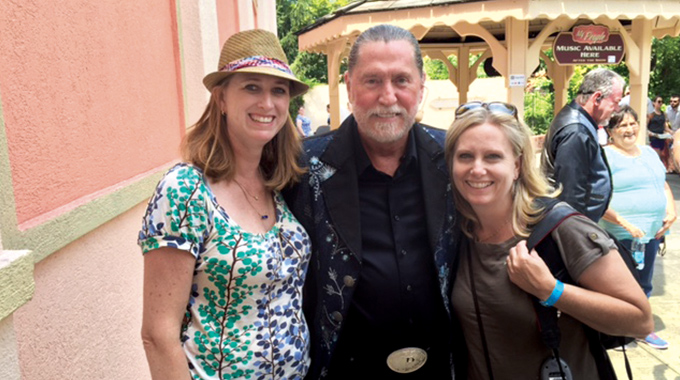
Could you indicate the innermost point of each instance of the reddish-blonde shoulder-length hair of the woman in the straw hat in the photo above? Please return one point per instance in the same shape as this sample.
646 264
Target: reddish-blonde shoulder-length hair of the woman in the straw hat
207 146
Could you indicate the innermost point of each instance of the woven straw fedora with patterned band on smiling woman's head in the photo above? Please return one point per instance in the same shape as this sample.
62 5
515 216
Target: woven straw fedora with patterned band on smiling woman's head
254 51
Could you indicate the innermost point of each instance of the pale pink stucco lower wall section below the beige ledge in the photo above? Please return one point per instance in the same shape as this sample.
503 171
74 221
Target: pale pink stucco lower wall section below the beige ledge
84 320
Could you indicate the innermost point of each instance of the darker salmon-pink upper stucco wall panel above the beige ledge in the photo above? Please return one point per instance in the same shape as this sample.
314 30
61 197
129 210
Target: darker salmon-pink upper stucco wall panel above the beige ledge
90 94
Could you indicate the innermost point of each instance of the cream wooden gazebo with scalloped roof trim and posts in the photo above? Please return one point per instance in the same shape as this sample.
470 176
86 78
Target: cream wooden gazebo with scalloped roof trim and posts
513 32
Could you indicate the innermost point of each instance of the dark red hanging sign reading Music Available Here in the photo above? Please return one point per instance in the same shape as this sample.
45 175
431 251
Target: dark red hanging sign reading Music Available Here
587 45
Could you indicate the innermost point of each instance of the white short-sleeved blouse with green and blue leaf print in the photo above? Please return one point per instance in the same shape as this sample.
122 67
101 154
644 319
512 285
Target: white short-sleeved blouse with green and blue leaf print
244 316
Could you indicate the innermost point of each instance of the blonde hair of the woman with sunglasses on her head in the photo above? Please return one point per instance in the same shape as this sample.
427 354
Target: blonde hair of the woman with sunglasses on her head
530 183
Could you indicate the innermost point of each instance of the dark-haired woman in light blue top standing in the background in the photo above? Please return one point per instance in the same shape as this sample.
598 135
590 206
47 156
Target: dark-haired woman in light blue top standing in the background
642 205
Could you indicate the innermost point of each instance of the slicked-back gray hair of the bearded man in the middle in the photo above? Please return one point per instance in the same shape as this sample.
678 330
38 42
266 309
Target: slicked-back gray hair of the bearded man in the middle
384 33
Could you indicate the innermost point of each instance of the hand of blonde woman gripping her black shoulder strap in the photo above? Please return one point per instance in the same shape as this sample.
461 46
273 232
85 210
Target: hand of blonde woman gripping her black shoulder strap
529 272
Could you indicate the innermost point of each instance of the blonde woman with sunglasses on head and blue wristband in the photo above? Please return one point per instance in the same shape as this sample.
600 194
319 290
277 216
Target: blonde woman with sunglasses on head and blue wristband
501 194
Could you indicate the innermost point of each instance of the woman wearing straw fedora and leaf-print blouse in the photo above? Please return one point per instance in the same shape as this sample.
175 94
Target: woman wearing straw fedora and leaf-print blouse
224 258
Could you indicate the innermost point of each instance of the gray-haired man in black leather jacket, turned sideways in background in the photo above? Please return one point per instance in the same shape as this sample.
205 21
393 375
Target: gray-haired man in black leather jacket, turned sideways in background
572 155
